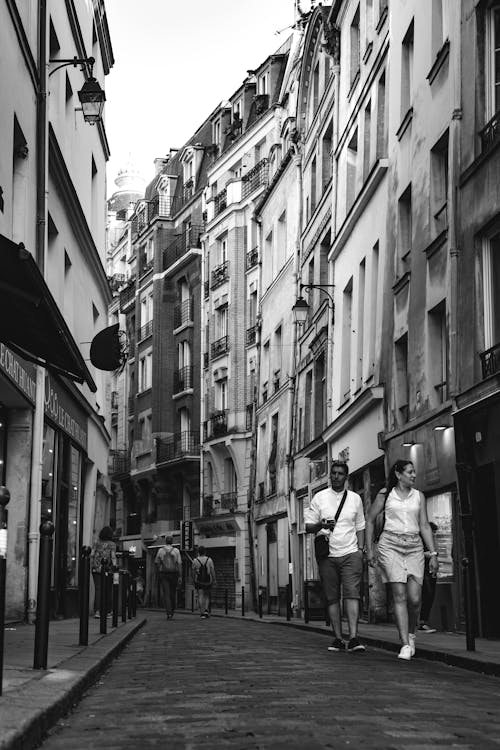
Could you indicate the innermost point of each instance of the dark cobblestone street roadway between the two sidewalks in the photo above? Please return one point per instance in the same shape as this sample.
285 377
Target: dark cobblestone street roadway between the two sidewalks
193 683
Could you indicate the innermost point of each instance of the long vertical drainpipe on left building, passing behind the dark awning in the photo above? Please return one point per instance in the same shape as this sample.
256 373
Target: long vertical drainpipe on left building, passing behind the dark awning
41 242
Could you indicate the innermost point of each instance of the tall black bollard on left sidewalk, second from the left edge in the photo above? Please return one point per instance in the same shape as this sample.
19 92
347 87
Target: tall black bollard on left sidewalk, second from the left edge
43 596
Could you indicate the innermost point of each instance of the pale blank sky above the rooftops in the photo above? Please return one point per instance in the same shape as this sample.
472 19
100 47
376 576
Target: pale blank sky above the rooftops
175 61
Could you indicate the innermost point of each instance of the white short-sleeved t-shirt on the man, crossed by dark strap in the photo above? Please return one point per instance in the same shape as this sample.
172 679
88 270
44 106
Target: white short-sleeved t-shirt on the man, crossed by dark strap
343 539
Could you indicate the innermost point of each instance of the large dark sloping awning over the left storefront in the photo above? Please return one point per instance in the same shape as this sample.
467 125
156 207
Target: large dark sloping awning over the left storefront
30 321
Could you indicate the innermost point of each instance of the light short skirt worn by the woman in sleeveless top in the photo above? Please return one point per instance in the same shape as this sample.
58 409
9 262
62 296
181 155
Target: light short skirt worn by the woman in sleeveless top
400 556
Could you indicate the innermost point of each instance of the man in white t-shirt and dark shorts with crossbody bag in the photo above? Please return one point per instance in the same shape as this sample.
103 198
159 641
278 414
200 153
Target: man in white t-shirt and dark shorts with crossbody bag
342 566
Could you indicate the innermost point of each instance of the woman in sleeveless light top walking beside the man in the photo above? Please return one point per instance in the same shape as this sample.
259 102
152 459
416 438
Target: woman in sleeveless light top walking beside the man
400 551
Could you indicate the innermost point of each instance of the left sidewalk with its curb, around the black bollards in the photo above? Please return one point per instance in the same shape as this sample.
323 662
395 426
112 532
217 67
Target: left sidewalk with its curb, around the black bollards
33 700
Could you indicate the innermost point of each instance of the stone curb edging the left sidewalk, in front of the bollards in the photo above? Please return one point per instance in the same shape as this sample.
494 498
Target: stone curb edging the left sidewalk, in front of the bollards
31 710
